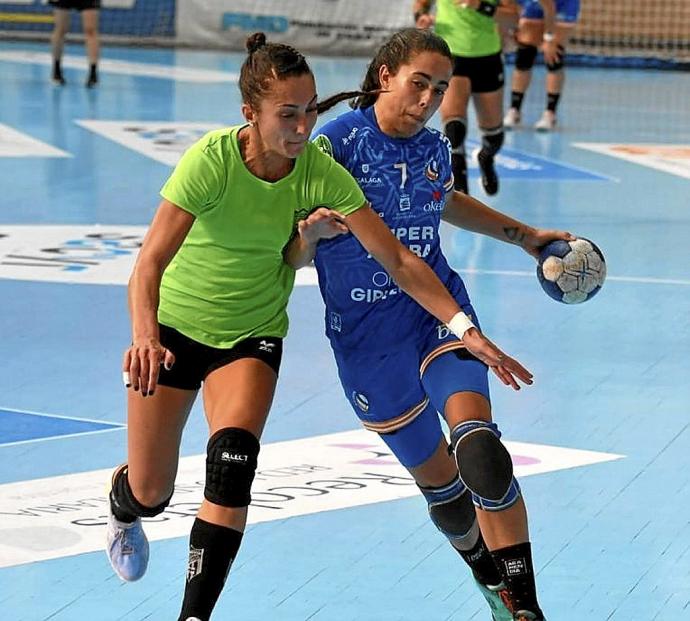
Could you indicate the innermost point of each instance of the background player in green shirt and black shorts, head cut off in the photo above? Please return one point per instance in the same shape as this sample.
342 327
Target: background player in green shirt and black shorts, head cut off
470 30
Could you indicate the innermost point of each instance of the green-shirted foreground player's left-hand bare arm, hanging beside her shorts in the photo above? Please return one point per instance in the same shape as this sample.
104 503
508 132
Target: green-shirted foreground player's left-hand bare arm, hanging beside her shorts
168 230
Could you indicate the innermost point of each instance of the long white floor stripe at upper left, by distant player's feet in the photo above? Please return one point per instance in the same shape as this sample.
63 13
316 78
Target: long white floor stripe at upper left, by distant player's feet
105 65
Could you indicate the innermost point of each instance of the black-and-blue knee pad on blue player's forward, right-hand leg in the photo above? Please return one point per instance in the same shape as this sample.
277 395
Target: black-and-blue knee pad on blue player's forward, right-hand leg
484 465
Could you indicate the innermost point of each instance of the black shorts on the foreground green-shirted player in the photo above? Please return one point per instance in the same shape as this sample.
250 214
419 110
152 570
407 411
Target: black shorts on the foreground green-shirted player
194 361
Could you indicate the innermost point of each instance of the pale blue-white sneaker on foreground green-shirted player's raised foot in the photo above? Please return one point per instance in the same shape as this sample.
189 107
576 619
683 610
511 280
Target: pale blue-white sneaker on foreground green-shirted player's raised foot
127 548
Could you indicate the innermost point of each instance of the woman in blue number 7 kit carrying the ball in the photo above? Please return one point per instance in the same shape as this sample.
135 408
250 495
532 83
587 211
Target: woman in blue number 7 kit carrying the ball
399 366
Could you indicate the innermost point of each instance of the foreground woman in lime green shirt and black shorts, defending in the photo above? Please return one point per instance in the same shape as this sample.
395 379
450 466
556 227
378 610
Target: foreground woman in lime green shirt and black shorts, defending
208 297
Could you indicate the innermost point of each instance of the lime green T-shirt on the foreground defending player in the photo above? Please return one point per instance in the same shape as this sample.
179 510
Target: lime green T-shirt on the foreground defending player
228 281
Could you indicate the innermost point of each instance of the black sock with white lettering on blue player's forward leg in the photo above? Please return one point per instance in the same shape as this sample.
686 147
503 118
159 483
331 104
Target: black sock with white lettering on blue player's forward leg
515 565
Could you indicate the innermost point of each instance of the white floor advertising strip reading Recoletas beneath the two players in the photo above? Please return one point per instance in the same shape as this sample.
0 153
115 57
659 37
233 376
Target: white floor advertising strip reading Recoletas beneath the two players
65 515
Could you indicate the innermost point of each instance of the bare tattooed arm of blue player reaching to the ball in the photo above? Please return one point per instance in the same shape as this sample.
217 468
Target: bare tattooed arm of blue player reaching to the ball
470 214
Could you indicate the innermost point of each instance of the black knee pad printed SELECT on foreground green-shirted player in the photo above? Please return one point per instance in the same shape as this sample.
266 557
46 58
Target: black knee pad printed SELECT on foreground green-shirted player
230 466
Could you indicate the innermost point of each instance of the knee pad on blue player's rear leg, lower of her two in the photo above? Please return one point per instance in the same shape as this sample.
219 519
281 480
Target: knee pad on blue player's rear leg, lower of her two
452 512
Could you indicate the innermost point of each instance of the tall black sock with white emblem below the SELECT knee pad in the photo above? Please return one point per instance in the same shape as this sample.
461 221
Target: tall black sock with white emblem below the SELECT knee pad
212 549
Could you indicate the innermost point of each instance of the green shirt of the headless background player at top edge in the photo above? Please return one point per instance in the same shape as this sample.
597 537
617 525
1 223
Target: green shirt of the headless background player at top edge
467 31
